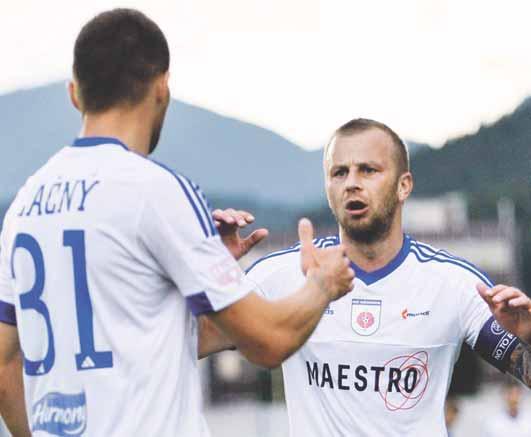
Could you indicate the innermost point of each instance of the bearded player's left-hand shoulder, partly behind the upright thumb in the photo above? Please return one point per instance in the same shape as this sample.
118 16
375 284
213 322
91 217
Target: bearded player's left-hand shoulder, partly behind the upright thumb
288 257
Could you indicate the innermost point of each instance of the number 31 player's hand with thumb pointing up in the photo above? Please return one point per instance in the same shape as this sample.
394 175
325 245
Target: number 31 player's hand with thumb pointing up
330 267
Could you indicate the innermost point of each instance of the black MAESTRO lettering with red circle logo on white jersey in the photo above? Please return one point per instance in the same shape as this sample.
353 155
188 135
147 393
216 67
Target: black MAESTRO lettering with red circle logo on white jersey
401 382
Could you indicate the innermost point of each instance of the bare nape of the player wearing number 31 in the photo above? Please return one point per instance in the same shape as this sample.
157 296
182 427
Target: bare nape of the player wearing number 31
130 126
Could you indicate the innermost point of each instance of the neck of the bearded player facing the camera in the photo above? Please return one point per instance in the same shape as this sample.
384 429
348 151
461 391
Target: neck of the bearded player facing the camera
375 255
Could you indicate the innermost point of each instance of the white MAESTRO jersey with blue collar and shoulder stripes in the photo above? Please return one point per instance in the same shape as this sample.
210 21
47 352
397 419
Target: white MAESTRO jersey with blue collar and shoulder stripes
380 361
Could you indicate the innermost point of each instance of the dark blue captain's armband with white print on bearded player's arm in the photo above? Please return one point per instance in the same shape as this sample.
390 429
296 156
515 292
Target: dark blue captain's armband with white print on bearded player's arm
495 345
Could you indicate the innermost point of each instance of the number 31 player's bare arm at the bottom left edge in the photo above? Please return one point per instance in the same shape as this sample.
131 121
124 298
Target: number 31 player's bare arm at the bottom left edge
12 405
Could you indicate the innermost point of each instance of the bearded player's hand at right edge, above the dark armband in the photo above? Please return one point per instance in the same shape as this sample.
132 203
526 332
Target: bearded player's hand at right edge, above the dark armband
511 308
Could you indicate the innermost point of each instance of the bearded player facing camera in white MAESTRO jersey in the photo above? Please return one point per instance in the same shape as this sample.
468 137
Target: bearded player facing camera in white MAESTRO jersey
381 359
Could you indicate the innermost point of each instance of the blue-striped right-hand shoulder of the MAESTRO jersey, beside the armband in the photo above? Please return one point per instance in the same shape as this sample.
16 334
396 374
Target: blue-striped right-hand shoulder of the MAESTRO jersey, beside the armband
452 266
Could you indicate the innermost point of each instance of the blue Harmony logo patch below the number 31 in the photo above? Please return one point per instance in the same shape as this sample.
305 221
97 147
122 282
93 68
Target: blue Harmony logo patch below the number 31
63 415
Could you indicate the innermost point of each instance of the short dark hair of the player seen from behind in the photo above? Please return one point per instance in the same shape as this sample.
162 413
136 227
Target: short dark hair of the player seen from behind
116 56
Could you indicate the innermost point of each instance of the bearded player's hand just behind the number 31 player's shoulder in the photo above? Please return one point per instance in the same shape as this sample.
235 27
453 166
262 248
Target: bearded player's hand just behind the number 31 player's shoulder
229 222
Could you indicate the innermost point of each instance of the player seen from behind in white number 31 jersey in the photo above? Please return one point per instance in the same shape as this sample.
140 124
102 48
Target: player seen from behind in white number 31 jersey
106 257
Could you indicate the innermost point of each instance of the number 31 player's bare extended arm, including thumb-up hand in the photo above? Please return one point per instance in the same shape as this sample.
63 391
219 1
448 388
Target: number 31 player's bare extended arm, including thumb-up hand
267 333
